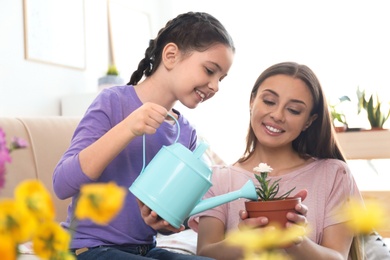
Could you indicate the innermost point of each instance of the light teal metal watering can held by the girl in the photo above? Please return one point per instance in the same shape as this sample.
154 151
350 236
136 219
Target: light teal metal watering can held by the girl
175 181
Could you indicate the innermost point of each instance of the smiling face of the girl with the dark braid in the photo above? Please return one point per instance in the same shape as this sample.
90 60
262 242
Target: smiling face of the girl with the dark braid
197 75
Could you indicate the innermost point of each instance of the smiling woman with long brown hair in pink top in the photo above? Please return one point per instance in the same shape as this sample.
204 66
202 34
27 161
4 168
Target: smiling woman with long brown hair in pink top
290 130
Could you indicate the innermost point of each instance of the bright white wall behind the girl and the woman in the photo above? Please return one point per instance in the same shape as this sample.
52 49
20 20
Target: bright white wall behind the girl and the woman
345 42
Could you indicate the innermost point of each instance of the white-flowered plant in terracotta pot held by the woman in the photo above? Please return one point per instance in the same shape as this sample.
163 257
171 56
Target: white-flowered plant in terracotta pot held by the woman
269 204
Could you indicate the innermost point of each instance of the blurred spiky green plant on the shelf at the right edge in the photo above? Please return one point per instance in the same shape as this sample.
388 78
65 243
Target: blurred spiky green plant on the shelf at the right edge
377 115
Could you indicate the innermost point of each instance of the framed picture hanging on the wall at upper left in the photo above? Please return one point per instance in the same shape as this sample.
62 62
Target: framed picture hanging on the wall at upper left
54 32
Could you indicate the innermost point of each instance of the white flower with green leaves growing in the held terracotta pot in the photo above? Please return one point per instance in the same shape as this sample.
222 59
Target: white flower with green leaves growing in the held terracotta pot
267 190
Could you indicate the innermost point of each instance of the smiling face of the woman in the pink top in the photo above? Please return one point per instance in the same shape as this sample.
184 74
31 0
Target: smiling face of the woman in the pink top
281 110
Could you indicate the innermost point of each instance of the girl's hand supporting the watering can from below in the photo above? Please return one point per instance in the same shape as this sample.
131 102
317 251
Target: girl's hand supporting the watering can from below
154 221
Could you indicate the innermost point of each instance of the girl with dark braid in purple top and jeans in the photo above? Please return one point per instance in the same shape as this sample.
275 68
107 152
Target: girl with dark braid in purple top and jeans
185 62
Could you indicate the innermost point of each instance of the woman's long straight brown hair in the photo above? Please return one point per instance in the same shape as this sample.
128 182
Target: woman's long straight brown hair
319 139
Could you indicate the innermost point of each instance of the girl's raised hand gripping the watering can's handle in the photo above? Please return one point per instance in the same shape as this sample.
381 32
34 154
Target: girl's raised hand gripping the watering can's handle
146 119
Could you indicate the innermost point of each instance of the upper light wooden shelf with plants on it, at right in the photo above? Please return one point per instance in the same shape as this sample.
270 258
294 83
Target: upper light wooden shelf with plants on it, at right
366 144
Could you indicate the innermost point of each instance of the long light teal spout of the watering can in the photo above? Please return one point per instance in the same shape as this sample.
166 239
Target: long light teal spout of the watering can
248 191
